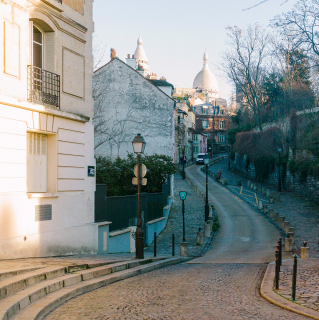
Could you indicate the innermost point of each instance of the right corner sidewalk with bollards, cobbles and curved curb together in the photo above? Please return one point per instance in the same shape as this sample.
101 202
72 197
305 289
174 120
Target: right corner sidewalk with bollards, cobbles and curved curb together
307 290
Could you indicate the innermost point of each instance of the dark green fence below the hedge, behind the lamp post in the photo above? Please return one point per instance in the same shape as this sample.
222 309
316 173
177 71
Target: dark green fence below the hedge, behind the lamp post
122 211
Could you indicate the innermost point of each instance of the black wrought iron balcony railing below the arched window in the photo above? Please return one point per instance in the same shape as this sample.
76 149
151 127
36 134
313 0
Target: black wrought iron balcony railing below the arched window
43 86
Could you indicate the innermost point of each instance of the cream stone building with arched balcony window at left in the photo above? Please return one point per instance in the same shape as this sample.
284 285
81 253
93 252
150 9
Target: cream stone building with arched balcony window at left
46 132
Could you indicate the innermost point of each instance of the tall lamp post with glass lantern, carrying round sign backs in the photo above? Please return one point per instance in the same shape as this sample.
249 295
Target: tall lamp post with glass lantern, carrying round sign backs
138 147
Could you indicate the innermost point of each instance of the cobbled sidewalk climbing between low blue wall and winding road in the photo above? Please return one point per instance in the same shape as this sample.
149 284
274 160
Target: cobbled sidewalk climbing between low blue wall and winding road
194 218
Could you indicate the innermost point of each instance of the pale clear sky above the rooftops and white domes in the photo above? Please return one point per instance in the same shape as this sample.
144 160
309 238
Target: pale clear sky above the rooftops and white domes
175 33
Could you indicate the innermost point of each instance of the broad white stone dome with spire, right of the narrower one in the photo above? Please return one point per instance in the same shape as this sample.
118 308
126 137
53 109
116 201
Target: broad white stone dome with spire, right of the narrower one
206 80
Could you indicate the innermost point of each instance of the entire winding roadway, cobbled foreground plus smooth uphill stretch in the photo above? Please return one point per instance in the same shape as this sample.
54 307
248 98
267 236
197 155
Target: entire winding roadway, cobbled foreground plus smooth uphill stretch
222 285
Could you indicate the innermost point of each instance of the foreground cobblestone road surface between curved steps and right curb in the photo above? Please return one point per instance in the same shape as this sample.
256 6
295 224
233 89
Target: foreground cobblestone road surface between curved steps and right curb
200 291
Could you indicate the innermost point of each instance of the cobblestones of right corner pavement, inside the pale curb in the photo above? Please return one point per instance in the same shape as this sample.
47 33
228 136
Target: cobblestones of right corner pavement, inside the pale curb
307 292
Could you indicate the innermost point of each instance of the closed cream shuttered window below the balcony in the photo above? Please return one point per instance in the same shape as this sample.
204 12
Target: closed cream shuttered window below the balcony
36 162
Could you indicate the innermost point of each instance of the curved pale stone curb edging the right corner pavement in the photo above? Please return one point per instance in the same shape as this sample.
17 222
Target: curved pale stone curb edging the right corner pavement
267 292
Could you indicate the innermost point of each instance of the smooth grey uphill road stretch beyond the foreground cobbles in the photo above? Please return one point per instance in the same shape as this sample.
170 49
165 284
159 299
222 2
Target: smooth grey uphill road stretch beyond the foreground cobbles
245 236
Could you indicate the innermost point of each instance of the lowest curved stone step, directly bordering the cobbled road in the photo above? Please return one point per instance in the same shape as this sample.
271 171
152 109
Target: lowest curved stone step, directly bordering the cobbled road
43 306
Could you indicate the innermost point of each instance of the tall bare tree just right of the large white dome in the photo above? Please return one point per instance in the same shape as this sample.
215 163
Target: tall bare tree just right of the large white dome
245 65
